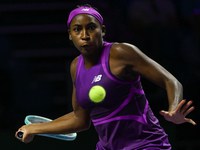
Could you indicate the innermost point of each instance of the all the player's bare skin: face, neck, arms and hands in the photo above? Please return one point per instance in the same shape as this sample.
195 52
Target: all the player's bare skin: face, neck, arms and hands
127 62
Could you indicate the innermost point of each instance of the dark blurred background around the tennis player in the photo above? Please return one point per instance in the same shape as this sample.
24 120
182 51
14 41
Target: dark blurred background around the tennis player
35 57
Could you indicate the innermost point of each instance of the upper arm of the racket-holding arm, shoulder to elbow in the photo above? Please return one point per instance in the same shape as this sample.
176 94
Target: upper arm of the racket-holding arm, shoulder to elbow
79 113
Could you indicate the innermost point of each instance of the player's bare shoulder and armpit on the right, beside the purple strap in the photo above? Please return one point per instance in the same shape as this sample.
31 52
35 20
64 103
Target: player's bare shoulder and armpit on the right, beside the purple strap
123 60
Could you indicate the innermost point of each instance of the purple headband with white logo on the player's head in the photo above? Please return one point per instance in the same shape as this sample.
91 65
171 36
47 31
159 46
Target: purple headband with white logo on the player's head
84 10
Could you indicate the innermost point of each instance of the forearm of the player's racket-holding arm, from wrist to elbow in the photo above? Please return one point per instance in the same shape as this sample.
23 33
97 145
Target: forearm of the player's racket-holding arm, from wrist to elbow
63 125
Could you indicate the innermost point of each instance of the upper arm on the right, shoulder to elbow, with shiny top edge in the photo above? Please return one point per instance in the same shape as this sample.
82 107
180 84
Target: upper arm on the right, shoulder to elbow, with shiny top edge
140 64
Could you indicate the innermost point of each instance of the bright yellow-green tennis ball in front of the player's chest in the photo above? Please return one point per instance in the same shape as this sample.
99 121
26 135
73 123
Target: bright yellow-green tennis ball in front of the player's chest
97 93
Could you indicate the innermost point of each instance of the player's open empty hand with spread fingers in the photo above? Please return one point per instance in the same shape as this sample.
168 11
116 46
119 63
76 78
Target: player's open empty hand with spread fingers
177 116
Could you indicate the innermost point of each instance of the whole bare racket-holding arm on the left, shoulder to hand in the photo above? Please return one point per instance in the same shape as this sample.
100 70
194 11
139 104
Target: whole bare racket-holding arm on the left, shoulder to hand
76 121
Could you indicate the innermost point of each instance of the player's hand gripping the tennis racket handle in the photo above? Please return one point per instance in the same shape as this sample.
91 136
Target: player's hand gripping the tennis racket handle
26 137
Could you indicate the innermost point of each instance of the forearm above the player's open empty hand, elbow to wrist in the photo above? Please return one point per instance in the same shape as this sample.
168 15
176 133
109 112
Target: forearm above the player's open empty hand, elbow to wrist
174 93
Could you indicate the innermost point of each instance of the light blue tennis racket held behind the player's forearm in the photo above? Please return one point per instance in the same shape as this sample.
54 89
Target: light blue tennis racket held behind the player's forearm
38 119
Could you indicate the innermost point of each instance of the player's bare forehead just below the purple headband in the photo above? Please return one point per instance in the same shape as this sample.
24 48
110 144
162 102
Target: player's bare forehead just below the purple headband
84 19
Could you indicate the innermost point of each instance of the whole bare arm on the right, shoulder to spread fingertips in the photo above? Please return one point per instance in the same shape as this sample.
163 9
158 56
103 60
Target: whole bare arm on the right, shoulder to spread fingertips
131 59
